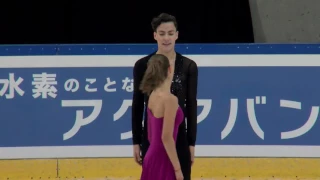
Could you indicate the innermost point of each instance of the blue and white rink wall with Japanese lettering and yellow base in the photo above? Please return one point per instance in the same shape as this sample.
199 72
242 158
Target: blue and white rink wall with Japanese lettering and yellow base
65 111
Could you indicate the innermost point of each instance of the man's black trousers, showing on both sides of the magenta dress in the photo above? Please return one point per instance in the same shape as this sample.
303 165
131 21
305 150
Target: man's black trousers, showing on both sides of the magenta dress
183 152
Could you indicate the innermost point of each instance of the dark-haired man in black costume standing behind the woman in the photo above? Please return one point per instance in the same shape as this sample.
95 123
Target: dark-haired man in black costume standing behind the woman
183 86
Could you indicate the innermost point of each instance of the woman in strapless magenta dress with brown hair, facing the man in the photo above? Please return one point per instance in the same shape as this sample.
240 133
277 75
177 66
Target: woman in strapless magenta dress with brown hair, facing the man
164 117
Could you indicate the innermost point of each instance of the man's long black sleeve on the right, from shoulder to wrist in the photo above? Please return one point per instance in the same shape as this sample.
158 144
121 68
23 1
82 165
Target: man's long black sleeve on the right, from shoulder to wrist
191 103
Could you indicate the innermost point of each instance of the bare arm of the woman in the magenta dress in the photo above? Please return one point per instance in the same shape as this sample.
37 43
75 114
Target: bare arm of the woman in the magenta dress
170 110
